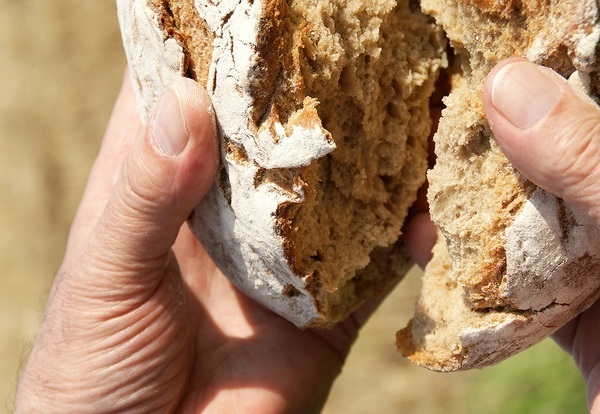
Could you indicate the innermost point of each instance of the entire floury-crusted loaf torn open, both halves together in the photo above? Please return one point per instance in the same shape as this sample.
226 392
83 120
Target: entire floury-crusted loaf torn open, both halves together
323 113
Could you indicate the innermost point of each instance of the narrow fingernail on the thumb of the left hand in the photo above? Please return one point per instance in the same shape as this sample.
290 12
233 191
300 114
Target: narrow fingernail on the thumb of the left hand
168 129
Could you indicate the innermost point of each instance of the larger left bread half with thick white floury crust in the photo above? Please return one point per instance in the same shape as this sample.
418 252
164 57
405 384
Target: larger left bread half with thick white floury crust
324 118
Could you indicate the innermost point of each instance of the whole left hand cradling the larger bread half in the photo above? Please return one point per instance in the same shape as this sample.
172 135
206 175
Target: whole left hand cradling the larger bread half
139 319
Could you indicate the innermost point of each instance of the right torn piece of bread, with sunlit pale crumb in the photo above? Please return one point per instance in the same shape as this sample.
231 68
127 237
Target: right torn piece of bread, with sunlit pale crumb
512 263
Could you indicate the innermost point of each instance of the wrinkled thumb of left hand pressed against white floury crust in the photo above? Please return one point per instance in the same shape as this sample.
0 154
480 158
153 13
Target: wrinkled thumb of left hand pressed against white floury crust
164 176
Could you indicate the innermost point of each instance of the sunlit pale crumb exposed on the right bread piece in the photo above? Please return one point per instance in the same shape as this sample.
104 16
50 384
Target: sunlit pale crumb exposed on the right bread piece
474 193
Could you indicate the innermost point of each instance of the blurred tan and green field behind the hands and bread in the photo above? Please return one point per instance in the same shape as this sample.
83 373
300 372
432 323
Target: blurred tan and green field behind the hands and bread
61 64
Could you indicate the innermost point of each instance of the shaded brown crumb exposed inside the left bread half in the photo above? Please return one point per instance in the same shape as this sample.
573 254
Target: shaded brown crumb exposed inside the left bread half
371 66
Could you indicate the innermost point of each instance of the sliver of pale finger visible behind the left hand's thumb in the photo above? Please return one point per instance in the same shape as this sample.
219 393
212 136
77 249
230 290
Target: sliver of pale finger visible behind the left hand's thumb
123 127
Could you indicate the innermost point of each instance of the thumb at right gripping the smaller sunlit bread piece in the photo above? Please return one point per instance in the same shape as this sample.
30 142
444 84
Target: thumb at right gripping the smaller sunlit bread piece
547 130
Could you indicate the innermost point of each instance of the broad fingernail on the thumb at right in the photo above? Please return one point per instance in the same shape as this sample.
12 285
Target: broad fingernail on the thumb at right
524 94
